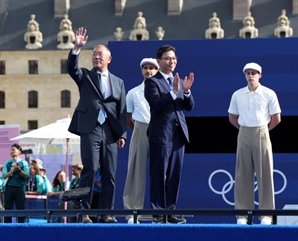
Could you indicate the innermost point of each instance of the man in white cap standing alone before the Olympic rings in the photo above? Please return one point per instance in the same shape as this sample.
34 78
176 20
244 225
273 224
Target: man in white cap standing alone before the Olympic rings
254 110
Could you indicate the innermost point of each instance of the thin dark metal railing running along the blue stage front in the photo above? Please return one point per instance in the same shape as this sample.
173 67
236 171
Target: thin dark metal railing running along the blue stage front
48 213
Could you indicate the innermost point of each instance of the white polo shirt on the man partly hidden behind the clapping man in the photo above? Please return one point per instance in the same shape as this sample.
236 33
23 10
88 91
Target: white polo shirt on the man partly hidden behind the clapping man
137 104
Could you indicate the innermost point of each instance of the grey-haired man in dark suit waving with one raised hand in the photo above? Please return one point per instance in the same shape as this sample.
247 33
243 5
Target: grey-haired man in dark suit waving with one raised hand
99 119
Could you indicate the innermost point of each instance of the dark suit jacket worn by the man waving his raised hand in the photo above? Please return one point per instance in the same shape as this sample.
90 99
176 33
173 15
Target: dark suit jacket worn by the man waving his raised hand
91 101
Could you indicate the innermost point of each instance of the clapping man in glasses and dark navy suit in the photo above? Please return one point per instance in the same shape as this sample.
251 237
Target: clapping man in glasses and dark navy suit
168 96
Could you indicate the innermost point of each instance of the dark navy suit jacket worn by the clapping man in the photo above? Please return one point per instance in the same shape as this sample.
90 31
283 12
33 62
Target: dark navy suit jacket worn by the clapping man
164 110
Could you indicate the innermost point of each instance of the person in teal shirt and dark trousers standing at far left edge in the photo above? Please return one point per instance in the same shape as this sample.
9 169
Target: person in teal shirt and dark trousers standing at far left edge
16 172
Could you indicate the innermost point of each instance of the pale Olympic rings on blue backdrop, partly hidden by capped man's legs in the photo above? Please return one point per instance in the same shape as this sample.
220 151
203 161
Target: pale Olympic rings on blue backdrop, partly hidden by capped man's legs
229 185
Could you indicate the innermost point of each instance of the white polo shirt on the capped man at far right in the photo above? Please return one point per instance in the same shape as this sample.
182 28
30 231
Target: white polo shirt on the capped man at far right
254 108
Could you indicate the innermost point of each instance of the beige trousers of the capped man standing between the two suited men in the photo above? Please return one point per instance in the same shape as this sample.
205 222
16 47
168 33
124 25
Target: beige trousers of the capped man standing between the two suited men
134 190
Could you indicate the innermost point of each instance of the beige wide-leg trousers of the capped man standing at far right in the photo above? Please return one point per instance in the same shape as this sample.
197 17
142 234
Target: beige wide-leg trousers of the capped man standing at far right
254 155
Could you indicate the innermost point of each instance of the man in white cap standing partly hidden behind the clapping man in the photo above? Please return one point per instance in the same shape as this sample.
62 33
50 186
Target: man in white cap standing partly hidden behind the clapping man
138 118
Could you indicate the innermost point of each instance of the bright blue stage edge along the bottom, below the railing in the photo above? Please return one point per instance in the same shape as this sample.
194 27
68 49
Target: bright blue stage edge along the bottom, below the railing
148 232
